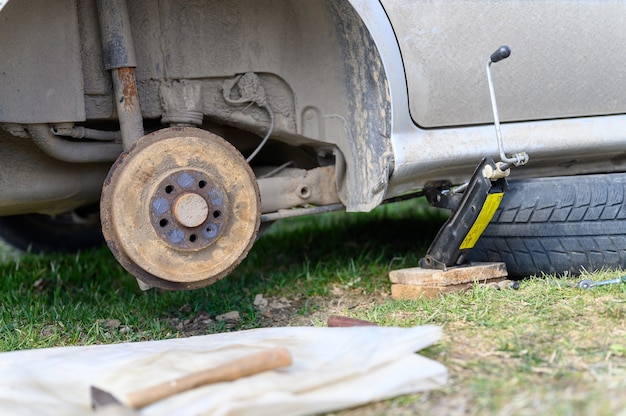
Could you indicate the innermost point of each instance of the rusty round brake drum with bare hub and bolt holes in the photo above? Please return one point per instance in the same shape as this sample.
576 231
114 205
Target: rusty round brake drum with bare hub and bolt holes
180 208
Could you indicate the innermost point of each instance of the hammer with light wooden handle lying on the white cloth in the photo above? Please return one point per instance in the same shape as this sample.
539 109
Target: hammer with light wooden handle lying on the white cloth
246 366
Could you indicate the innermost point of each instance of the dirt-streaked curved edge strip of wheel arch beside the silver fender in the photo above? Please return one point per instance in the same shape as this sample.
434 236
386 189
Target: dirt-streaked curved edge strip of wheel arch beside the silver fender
369 155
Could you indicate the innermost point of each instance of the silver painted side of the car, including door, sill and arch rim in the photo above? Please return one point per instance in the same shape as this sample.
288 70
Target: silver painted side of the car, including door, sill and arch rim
561 91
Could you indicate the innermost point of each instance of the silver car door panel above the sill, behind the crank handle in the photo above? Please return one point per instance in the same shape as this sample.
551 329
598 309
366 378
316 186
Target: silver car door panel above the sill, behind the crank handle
567 58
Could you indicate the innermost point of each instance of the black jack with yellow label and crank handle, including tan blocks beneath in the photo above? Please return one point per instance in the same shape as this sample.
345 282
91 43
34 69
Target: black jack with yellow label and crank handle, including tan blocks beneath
445 268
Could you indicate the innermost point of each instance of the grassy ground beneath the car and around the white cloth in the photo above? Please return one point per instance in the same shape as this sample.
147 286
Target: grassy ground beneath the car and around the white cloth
547 348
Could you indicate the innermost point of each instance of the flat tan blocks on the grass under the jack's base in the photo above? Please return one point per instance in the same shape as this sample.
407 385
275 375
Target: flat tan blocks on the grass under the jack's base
416 282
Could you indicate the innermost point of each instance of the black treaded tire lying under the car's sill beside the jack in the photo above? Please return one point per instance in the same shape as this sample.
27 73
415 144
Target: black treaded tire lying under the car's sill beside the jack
558 225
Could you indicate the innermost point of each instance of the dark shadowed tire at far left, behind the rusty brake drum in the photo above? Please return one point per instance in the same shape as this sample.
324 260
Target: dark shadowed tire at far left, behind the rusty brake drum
64 233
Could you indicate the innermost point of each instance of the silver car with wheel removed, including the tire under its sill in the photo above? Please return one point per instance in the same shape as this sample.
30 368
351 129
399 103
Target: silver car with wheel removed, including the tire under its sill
178 129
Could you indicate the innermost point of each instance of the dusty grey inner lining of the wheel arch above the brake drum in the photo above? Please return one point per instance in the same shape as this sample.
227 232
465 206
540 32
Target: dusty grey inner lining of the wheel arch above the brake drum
320 68
